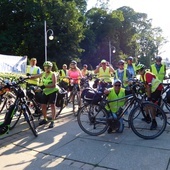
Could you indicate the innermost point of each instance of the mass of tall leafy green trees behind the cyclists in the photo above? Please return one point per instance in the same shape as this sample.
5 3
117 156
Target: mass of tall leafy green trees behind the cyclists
78 34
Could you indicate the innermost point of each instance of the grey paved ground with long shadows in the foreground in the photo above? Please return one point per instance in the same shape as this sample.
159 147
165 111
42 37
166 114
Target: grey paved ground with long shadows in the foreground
67 147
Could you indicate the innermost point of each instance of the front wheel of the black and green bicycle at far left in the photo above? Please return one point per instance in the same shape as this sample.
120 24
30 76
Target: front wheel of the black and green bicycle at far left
30 120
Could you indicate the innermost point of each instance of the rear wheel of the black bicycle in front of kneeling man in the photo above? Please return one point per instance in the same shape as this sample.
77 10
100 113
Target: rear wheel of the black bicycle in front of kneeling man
92 120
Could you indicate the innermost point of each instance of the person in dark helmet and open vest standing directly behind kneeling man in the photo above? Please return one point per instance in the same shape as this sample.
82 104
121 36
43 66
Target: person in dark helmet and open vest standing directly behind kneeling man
122 74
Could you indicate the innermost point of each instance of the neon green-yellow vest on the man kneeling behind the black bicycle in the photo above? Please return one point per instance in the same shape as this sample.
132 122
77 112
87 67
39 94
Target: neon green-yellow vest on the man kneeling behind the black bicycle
114 106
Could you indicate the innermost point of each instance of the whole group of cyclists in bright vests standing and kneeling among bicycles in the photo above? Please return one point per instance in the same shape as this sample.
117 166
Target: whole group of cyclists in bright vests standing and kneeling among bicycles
117 80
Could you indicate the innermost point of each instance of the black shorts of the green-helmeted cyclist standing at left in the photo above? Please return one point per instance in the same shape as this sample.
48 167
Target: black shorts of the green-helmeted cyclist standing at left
49 99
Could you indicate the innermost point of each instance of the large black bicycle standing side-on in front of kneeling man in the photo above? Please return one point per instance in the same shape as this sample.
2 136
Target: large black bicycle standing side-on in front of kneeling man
94 119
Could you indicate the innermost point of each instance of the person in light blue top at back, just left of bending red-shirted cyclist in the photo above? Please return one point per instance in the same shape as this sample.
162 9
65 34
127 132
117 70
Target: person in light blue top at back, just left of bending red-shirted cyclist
131 66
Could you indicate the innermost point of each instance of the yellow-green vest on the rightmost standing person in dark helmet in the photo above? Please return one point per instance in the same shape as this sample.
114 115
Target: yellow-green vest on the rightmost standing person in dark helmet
161 73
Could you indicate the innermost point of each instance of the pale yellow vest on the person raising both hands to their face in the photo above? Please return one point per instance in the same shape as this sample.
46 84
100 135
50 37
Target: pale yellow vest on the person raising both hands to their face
105 75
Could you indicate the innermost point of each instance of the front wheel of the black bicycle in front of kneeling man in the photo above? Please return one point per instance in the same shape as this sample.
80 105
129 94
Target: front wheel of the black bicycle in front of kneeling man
142 128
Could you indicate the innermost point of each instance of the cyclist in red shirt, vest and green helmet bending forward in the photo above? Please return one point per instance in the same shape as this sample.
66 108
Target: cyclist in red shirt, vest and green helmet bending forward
153 88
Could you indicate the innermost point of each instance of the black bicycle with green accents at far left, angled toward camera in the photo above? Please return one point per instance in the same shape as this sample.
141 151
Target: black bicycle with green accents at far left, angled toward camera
15 111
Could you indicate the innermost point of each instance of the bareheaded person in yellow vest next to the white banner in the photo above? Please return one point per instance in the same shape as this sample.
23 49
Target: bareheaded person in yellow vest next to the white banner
32 69
